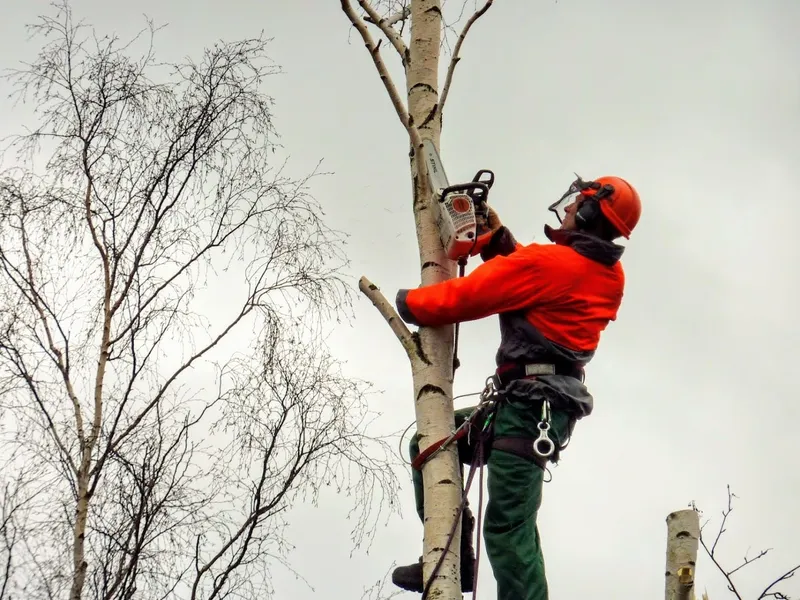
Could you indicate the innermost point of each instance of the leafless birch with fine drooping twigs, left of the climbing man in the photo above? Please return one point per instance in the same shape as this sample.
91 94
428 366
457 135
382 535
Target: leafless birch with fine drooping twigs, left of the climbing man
165 389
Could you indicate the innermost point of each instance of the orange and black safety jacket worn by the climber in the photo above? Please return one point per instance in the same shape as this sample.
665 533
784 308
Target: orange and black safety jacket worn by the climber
553 302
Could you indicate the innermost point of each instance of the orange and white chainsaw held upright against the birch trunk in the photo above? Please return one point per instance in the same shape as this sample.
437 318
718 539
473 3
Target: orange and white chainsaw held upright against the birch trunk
460 211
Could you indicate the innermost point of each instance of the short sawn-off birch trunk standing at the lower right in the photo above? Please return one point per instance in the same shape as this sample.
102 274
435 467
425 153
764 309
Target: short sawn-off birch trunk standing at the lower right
683 534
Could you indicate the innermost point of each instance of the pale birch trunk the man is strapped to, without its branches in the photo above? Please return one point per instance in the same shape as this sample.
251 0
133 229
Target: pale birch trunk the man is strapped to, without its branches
432 372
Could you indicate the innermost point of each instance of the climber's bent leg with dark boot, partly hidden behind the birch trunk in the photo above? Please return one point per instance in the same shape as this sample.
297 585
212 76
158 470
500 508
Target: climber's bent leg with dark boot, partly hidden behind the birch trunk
410 577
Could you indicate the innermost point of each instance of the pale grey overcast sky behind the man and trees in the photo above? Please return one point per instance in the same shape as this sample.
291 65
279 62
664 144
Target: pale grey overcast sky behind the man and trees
697 103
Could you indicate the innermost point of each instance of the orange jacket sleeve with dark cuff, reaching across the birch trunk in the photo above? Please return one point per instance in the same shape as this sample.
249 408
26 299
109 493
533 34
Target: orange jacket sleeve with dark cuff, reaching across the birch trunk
502 284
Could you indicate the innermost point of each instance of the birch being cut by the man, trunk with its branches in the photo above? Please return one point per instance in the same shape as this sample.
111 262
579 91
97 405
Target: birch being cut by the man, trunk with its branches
415 30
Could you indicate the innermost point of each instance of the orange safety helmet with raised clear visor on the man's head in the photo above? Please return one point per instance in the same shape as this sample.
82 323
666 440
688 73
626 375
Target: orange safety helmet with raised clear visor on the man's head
617 199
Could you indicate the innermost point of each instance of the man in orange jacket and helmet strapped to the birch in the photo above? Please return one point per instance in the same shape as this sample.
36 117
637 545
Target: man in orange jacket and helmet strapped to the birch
553 302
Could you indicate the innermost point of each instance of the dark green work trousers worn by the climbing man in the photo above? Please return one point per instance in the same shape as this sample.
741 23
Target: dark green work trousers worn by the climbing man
514 487
